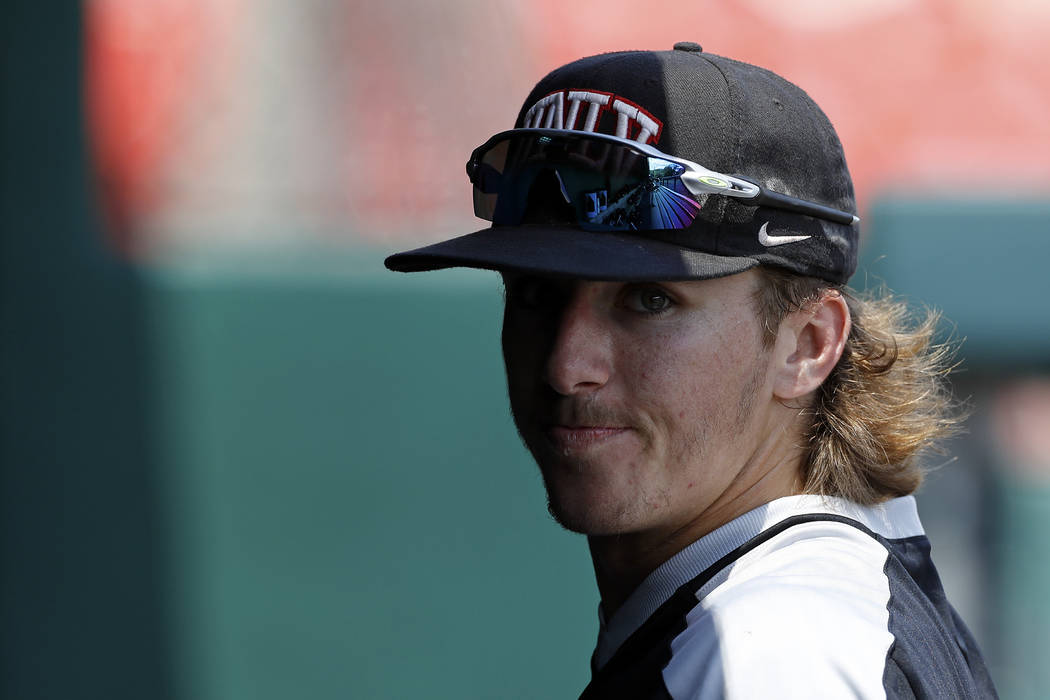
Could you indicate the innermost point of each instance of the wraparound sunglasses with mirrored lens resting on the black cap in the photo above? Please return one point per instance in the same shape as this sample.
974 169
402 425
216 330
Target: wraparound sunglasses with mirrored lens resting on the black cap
604 183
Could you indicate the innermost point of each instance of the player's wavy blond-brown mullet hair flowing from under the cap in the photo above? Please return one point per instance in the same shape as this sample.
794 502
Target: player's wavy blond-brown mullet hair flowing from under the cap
886 402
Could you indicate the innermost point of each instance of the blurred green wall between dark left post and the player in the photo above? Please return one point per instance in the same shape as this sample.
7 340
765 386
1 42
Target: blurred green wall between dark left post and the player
349 510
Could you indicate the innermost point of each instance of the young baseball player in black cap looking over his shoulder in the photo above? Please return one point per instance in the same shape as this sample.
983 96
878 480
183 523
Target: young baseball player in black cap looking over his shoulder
736 433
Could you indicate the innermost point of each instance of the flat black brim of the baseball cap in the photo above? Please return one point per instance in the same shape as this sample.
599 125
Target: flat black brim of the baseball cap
571 252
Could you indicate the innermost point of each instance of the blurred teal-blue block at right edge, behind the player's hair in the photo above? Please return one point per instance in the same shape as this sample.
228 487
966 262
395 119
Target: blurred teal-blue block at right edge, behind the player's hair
981 262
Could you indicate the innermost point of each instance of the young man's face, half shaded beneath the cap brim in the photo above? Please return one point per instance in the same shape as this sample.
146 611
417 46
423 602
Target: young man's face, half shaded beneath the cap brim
641 402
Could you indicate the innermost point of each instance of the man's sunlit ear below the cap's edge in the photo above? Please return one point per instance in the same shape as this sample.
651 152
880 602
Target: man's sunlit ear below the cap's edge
809 345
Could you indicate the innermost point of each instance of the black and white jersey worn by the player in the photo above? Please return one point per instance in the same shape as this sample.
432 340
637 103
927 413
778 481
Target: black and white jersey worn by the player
804 598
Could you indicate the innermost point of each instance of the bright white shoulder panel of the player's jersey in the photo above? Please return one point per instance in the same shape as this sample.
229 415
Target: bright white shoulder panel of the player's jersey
808 607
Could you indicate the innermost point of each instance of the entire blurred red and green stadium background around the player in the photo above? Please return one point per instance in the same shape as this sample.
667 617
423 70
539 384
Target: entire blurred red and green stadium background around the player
241 460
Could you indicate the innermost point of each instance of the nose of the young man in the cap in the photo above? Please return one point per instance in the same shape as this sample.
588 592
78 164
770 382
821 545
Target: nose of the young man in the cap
580 359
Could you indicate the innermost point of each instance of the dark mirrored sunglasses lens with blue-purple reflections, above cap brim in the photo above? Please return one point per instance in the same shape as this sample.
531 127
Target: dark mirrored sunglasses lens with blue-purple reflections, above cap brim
575 181
